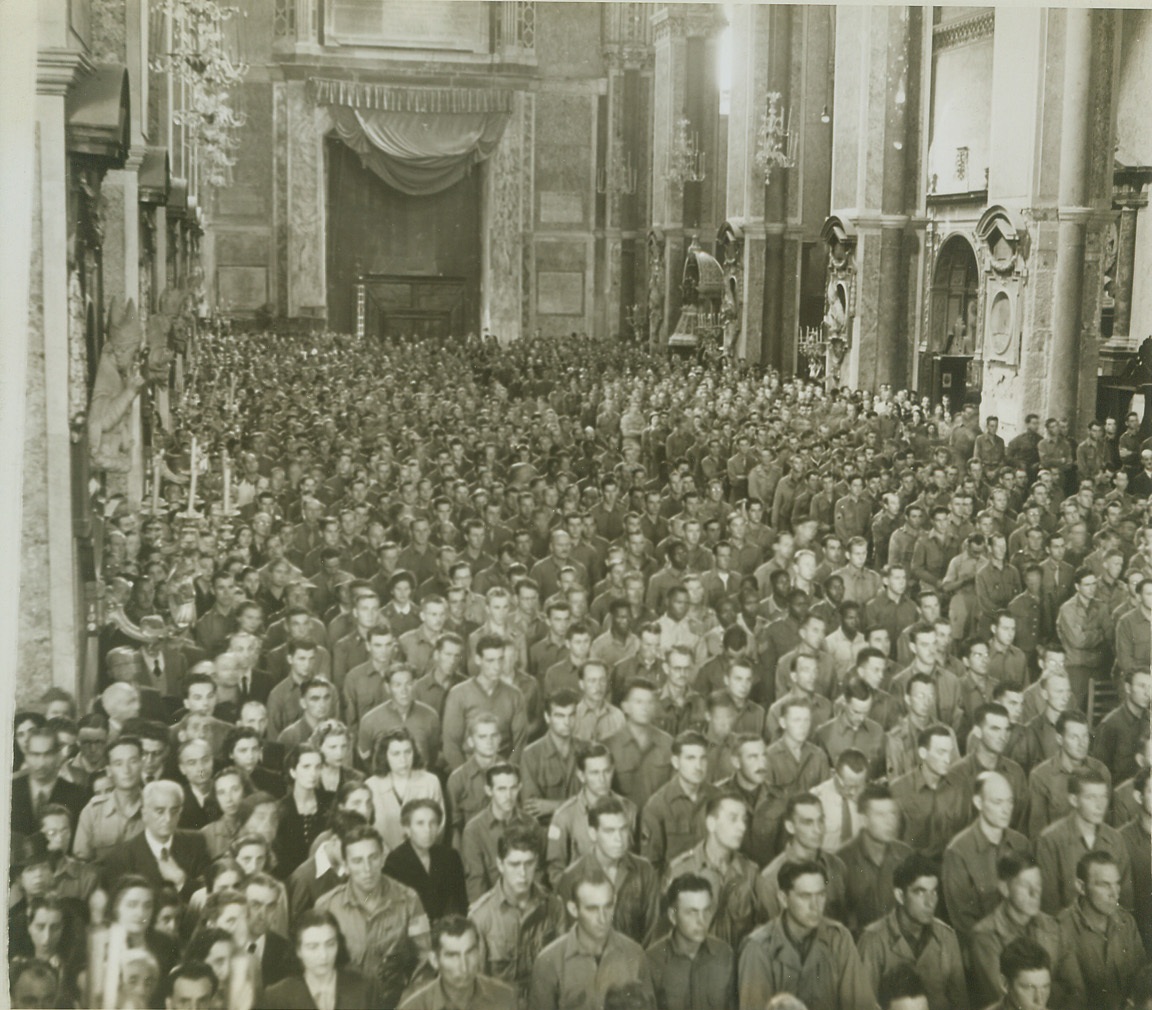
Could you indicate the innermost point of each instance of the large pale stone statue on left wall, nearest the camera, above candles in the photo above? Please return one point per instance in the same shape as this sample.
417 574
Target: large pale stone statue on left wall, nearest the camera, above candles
118 383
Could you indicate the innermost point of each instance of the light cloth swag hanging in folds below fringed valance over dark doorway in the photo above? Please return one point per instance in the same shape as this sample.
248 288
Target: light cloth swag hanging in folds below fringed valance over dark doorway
415 153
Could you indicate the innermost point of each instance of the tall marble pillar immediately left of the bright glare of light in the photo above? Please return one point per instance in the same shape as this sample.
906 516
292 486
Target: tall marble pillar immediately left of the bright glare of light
678 93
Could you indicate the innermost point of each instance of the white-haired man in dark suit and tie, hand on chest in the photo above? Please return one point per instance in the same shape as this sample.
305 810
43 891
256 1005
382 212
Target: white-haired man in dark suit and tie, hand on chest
161 854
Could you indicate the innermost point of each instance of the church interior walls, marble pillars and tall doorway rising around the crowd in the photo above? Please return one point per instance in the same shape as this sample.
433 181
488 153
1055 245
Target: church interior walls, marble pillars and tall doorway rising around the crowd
950 201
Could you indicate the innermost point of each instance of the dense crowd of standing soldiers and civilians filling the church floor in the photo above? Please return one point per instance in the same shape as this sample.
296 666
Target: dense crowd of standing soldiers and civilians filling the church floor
442 674
